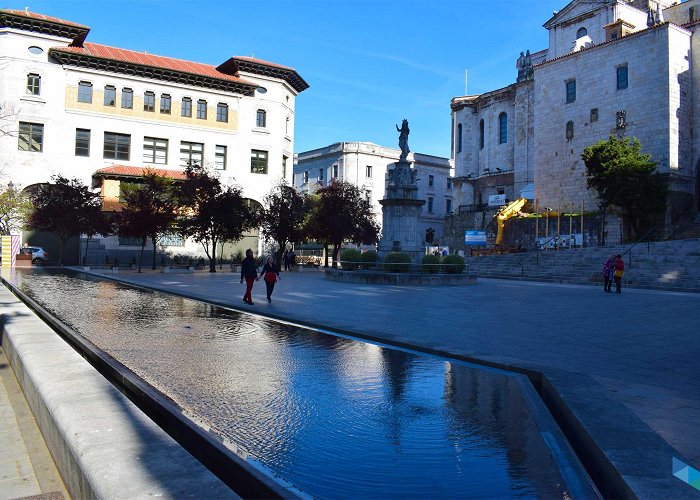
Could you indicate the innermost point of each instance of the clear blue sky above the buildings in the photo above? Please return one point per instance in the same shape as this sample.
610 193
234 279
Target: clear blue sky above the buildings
369 63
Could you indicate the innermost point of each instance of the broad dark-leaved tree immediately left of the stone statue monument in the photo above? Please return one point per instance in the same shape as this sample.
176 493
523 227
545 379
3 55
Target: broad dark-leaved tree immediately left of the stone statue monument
341 212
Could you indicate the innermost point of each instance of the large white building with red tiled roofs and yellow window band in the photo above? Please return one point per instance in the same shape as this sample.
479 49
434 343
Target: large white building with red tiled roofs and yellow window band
76 107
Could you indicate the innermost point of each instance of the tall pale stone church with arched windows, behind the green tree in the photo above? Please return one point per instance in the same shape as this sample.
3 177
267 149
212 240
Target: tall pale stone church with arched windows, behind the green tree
620 67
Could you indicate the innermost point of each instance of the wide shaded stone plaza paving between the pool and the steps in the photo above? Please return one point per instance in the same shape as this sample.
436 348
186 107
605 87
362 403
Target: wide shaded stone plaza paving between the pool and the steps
642 346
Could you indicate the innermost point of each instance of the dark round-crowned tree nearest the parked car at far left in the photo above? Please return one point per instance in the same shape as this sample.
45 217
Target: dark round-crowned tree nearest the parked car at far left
66 208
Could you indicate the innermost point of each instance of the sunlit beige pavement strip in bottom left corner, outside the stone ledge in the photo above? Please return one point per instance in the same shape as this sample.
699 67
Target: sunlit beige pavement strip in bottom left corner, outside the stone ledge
26 468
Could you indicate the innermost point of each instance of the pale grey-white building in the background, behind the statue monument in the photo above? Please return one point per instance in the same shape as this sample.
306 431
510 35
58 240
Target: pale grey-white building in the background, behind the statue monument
365 165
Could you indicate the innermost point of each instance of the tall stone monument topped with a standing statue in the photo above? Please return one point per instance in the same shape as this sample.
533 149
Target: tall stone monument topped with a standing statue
401 207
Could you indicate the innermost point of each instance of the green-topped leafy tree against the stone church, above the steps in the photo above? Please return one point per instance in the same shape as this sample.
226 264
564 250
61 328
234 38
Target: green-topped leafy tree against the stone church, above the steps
626 178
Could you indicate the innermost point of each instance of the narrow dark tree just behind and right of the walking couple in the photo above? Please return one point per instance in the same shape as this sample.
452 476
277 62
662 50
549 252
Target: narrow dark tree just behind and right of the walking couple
283 217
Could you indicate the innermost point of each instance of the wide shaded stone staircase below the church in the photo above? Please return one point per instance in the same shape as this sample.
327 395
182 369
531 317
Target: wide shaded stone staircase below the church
667 265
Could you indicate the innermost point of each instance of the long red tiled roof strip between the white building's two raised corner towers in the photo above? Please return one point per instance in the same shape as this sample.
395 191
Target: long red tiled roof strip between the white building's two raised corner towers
146 59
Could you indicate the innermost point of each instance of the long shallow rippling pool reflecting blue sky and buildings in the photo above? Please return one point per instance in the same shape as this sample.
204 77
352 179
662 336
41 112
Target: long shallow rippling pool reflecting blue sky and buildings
336 417
